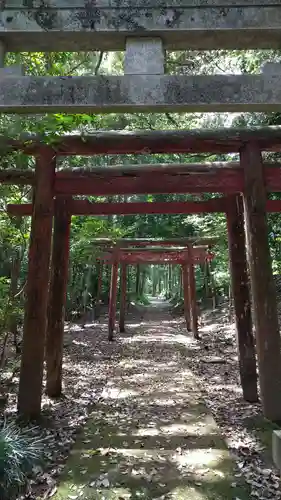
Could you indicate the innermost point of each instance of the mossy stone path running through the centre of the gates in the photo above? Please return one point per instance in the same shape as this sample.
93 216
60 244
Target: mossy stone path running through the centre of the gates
150 435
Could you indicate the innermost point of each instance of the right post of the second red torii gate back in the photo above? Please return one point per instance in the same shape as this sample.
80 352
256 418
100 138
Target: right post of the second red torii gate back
241 297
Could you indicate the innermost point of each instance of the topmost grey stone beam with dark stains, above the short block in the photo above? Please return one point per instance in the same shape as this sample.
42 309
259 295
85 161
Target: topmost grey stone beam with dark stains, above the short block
104 25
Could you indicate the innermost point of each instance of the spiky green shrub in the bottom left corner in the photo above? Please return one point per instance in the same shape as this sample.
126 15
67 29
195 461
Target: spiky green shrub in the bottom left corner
20 451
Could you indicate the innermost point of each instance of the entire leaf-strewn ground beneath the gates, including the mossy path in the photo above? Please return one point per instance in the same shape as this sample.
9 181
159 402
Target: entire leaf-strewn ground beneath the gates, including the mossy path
154 415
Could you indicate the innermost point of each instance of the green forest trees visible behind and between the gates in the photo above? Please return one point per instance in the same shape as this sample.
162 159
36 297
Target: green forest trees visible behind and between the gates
84 268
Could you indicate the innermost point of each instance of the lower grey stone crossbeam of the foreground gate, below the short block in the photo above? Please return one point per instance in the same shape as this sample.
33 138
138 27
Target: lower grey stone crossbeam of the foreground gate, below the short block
106 94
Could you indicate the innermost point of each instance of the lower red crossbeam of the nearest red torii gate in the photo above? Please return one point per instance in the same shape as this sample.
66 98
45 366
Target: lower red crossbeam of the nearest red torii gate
217 177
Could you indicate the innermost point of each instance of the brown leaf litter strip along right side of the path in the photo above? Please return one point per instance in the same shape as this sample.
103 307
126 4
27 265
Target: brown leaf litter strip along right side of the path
247 433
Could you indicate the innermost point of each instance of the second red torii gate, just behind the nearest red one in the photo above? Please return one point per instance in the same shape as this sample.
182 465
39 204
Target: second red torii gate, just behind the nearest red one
235 225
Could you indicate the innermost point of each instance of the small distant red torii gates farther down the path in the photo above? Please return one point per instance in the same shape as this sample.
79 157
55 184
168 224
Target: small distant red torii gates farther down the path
186 257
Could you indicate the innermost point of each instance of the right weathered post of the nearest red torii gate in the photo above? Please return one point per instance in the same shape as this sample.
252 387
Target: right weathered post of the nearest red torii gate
262 284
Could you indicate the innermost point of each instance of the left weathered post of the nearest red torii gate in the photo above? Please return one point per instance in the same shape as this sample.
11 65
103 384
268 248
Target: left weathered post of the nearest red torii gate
35 320
